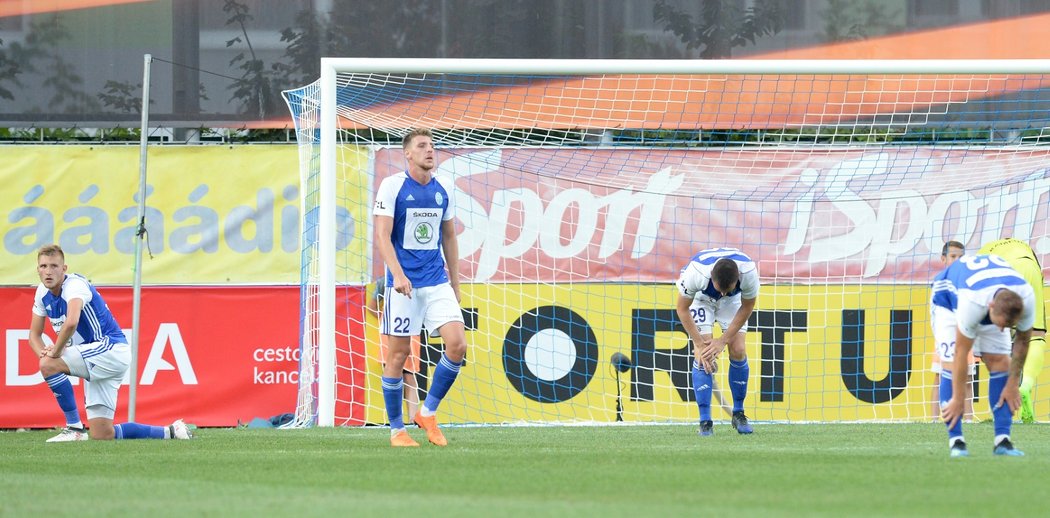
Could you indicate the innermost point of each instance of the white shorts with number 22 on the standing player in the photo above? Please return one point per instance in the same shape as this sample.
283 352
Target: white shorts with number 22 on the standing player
432 307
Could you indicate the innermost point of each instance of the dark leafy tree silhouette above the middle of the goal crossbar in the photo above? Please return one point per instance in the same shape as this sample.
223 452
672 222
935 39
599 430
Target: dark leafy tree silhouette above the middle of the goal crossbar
722 26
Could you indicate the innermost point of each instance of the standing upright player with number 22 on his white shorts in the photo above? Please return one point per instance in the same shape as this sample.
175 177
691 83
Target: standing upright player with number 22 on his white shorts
414 229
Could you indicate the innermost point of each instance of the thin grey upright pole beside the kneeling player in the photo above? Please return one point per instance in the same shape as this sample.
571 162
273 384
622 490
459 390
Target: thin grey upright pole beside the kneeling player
140 234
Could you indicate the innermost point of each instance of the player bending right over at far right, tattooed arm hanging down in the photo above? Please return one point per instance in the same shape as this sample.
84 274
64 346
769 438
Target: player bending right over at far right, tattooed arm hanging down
977 300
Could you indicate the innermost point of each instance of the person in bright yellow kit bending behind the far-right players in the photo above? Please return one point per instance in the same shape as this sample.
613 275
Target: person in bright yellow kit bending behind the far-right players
1024 261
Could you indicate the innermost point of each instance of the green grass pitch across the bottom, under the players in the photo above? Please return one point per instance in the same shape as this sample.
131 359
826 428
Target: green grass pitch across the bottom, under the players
783 470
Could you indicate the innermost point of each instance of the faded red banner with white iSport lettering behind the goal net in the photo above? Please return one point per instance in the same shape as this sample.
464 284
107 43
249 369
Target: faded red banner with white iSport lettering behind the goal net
624 215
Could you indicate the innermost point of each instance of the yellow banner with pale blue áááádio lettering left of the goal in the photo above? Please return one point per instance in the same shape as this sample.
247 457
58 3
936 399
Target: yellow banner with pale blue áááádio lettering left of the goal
216 215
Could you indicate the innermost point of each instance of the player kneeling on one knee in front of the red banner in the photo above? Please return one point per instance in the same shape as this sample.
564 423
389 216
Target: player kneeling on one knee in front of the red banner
91 346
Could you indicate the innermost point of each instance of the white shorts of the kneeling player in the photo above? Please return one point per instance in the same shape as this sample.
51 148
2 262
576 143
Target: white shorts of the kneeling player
103 365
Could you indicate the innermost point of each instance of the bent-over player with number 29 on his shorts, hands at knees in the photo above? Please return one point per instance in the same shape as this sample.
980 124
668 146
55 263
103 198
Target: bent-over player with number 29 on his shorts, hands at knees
720 285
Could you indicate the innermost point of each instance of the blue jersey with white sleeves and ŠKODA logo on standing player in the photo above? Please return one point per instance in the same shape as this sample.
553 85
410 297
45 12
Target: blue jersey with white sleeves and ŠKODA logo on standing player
418 212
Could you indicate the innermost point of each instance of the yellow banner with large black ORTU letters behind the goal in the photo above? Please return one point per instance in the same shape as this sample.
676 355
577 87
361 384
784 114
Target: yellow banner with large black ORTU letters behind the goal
816 354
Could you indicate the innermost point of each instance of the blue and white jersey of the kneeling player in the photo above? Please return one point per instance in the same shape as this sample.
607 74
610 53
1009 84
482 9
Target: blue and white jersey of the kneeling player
97 324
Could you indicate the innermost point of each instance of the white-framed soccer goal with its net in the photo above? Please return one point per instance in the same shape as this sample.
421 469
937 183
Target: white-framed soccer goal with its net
583 188
